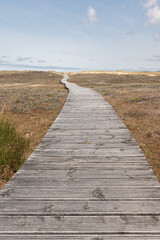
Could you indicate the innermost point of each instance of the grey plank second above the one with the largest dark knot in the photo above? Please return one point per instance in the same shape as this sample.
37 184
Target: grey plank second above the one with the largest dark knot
85 173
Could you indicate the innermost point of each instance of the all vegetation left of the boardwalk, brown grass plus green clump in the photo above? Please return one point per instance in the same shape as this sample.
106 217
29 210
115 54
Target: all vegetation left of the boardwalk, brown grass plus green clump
29 103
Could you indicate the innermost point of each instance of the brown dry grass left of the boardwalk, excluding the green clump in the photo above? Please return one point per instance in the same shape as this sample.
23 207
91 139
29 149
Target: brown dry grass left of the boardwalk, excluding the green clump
31 101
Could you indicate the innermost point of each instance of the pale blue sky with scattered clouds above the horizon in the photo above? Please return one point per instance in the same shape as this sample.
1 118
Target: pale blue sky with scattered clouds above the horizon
80 34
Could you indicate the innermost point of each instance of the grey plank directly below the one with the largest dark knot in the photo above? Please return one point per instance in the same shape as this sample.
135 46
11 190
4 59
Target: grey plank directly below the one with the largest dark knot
33 207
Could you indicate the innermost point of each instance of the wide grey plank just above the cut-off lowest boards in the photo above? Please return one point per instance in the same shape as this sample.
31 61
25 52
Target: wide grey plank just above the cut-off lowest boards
81 224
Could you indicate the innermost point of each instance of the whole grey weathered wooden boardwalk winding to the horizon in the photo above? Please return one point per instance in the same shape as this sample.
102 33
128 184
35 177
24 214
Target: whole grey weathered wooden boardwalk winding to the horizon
87 180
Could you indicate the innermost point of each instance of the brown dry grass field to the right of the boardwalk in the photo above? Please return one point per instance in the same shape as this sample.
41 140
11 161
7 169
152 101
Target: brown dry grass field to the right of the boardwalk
136 98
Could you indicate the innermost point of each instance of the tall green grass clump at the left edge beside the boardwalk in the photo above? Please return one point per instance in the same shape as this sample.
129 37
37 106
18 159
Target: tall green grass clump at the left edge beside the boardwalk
12 147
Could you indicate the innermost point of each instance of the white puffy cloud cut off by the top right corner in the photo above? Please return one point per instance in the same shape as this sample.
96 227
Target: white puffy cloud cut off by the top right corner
153 11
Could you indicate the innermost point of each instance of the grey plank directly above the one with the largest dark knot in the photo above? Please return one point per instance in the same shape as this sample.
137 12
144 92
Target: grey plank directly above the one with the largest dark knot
84 182
